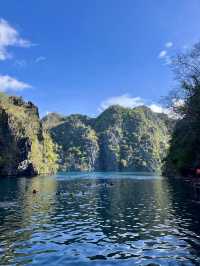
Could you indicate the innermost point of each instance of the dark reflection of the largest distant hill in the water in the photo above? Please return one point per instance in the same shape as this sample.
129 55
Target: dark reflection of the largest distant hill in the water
134 207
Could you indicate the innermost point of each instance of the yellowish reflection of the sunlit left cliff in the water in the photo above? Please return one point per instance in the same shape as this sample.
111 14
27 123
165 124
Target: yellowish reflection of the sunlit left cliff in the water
27 213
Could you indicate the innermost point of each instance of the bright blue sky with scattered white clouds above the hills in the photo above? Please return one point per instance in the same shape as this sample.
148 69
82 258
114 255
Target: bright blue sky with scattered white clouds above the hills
83 56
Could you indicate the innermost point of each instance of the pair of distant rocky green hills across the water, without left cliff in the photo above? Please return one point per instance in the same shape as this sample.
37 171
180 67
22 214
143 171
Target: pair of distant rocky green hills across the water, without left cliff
118 139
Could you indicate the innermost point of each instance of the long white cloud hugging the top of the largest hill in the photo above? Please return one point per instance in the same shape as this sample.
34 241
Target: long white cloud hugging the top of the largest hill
128 101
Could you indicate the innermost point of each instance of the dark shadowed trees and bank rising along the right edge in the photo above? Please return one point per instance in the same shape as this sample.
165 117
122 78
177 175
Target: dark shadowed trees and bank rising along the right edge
184 152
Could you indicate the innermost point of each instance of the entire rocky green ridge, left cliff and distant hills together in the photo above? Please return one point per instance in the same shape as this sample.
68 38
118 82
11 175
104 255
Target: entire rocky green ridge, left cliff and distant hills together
118 139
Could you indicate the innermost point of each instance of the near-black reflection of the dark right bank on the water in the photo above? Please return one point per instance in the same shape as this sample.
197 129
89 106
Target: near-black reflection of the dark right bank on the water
185 204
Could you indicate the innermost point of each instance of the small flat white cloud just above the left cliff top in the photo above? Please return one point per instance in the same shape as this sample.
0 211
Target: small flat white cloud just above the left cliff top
8 83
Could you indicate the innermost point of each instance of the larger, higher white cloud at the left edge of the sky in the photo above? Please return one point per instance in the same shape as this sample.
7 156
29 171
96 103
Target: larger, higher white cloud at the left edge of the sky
9 36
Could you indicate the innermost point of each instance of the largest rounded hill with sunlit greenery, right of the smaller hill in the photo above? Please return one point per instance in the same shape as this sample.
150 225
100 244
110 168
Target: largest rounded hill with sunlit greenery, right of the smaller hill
132 139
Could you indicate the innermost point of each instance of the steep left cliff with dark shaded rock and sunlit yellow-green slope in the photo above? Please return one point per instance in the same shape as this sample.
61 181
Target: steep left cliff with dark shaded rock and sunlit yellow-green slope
25 149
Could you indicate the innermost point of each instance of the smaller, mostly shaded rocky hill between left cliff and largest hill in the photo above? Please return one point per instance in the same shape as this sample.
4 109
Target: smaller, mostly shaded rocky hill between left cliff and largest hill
77 145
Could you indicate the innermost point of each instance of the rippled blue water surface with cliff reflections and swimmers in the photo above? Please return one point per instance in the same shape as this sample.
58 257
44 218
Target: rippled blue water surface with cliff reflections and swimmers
99 219
